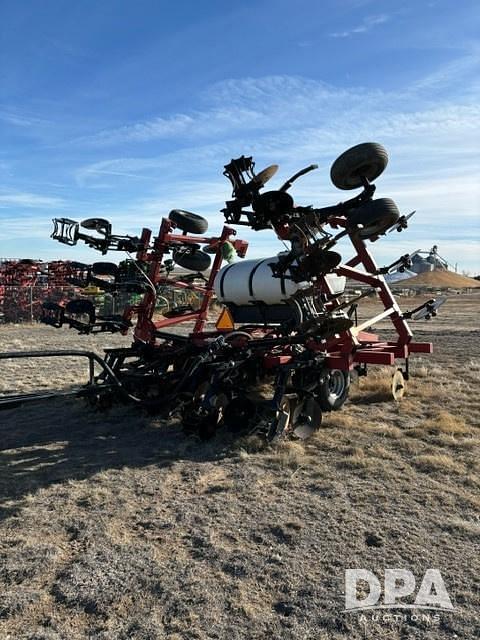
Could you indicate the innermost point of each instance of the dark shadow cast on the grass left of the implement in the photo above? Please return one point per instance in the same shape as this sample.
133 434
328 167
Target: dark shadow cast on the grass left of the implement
51 442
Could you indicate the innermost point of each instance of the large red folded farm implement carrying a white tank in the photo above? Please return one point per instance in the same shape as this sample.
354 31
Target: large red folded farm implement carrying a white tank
288 339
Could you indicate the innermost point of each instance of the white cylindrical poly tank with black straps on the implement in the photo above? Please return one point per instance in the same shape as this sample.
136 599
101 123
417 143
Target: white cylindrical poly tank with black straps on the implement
252 281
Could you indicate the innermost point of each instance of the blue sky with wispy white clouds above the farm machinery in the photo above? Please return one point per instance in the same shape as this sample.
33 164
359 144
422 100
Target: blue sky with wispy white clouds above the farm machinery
125 110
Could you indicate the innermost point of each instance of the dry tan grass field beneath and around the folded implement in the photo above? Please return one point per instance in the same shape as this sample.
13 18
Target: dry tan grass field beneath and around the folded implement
117 526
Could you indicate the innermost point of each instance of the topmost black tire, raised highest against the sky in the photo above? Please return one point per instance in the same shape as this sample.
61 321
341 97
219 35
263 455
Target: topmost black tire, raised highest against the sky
368 160
